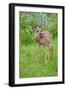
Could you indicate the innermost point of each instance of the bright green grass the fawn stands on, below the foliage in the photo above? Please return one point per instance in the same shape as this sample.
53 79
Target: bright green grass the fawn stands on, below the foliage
28 65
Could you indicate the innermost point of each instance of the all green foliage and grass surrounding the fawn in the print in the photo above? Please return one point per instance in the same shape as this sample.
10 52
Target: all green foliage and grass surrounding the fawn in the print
28 65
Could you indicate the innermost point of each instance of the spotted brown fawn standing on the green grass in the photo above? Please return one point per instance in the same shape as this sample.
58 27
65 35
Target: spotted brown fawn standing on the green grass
44 38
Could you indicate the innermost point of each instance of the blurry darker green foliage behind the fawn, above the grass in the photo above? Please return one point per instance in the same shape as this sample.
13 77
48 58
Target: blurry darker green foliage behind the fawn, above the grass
29 20
